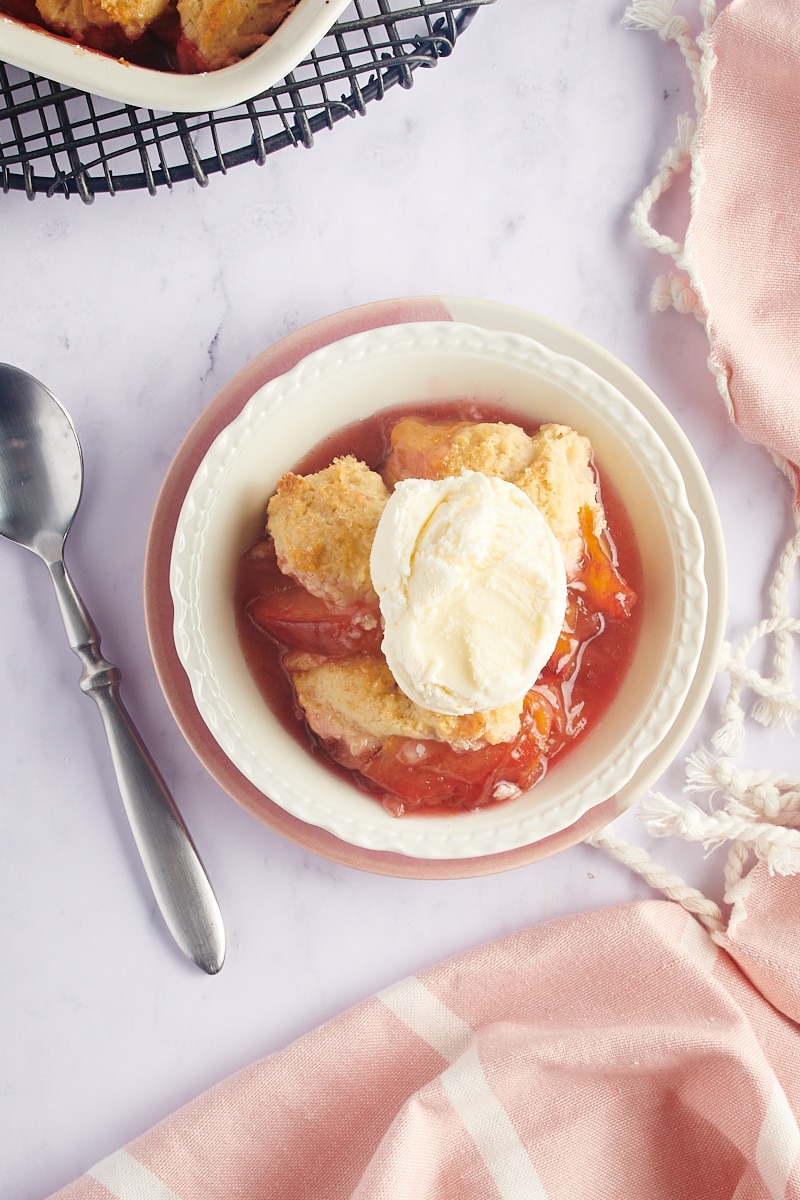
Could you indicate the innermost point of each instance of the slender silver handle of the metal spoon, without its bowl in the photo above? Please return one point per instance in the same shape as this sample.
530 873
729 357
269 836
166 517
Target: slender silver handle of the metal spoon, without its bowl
172 863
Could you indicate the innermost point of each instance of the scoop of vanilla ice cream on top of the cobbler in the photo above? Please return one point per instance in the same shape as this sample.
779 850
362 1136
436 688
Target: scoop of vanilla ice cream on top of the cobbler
473 591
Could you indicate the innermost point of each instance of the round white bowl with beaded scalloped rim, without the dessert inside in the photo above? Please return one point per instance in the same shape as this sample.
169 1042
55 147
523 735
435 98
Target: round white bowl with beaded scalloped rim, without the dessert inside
413 364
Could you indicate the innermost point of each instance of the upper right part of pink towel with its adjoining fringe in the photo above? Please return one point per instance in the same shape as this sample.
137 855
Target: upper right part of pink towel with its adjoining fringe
739 265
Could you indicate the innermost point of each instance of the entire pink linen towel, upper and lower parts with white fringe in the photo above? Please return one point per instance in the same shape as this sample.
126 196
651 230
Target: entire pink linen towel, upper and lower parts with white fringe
634 1053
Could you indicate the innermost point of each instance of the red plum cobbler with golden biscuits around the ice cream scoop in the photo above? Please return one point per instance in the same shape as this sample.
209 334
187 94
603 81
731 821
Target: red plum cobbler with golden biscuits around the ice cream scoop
312 631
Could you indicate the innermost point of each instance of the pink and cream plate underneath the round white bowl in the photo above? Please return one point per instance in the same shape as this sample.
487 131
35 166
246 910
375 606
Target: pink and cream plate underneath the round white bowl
227 406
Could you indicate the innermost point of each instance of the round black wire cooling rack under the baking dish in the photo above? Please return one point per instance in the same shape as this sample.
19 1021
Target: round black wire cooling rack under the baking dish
58 141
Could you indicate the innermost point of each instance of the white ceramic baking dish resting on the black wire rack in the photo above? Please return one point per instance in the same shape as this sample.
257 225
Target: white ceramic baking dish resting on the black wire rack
77 67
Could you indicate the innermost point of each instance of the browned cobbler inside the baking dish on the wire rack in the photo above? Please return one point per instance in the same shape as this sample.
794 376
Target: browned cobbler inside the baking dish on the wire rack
187 37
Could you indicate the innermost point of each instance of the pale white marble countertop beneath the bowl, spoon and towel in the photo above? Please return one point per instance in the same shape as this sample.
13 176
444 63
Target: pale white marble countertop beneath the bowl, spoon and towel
508 173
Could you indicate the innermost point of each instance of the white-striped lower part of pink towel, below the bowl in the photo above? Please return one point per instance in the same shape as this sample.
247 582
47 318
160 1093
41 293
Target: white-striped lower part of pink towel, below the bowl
617 1054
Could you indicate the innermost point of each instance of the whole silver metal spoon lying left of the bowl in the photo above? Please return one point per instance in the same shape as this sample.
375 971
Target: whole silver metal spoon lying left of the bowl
41 479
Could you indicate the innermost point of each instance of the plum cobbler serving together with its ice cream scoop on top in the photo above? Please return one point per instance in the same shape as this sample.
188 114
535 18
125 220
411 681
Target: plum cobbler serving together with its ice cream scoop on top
338 653
